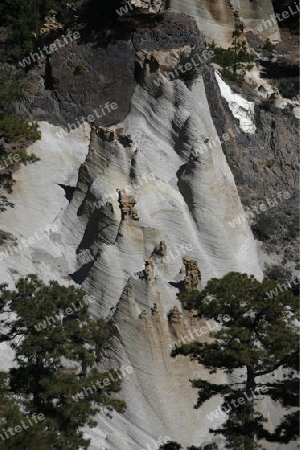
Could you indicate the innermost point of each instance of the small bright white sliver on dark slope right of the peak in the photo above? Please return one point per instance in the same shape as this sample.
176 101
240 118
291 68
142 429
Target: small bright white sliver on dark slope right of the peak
239 106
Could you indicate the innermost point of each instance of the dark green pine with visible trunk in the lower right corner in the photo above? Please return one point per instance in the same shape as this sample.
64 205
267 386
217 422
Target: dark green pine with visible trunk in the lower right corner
260 337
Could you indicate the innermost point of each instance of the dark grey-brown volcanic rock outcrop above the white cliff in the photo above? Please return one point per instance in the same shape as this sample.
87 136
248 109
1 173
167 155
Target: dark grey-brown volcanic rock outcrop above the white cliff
80 78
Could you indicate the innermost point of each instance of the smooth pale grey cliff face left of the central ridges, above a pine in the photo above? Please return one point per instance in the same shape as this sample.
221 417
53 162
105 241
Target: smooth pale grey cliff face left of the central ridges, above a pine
37 200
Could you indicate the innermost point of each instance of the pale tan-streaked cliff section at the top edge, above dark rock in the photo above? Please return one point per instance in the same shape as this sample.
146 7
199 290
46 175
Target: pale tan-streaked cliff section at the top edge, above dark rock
216 18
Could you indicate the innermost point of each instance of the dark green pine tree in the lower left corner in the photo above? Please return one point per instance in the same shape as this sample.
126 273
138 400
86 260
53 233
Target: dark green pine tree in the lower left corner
40 381
